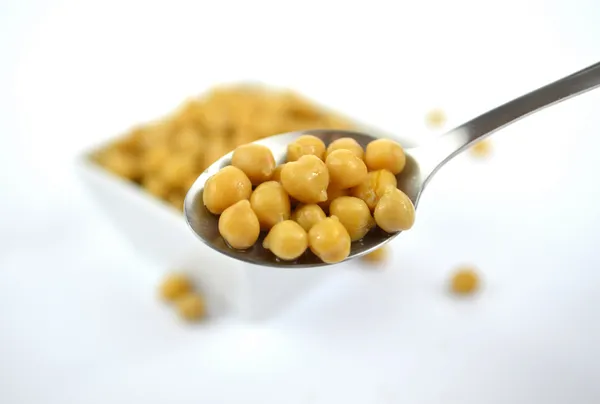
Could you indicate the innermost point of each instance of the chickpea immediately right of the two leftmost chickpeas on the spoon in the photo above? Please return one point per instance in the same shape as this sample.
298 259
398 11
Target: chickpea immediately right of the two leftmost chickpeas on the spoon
271 204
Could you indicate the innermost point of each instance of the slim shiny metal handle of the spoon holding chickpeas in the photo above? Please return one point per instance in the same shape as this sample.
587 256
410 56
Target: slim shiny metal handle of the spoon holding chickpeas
431 158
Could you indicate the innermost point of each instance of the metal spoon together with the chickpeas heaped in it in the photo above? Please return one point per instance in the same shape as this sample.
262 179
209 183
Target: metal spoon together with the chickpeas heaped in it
326 196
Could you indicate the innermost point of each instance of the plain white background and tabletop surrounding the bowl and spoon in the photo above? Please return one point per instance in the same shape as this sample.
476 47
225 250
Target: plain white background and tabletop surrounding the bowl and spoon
79 319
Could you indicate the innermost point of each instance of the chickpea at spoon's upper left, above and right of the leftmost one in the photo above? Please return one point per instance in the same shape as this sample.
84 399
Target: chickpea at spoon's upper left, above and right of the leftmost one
256 161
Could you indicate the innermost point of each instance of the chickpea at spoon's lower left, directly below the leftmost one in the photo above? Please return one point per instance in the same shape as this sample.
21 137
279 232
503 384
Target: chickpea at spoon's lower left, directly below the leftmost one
239 225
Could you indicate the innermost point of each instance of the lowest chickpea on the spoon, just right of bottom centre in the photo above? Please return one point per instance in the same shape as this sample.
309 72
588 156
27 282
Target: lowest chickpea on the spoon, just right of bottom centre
329 240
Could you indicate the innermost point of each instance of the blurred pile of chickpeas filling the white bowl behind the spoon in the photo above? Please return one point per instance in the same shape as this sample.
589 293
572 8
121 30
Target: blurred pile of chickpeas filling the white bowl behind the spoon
165 157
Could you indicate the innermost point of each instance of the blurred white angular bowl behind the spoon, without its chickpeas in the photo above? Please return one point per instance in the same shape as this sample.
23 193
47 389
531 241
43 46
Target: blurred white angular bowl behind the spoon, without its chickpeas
159 231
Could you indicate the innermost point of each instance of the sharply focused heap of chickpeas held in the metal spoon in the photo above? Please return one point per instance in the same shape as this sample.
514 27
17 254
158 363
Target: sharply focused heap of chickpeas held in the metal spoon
321 199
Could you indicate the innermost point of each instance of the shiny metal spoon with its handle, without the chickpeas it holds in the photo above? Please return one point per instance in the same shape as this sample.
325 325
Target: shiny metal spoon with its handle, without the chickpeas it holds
421 164
